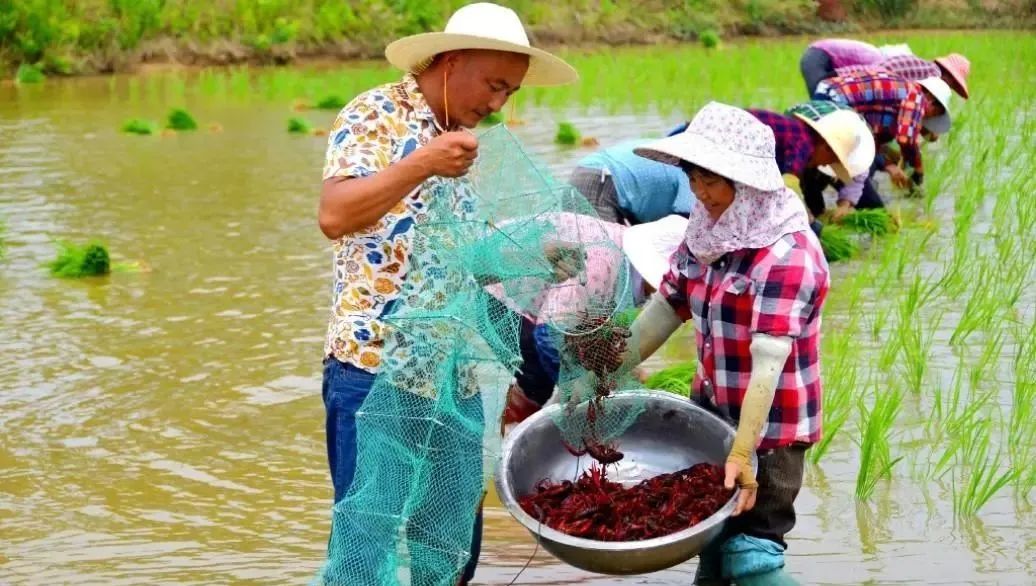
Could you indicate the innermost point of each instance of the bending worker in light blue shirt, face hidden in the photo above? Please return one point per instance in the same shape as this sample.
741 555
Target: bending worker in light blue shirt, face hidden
627 189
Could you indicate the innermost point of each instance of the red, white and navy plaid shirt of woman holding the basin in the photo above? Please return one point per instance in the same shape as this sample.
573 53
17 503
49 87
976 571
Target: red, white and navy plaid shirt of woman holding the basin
780 291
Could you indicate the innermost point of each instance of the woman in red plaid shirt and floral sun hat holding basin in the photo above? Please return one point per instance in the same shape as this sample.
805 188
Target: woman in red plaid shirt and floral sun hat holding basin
753 276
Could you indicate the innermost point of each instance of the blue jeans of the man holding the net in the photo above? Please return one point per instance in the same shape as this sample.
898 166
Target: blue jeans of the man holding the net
346 389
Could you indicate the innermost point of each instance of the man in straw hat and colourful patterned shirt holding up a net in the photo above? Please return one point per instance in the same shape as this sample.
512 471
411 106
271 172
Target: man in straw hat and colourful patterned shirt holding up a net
385 148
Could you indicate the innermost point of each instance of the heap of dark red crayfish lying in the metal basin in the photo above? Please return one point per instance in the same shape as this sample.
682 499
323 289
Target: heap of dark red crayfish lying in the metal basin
594 508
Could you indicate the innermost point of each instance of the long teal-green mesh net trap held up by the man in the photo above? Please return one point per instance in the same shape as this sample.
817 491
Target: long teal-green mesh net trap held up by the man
506 244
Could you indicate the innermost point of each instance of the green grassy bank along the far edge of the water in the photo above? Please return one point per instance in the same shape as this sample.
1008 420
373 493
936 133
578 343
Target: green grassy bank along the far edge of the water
87 37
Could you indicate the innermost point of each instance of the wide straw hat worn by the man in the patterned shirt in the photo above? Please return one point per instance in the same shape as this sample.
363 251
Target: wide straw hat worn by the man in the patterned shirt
487 26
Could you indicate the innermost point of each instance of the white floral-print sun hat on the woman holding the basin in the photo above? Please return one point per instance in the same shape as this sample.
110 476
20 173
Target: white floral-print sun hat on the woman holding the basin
728 141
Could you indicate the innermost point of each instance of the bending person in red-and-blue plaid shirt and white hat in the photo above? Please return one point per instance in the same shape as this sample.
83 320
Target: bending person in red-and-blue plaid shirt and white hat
898 110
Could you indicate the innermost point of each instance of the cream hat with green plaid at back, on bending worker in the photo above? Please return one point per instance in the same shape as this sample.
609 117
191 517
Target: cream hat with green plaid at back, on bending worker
846 133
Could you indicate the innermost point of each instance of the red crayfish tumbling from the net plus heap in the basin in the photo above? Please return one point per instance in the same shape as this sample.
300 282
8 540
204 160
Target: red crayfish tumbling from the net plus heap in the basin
595 508
